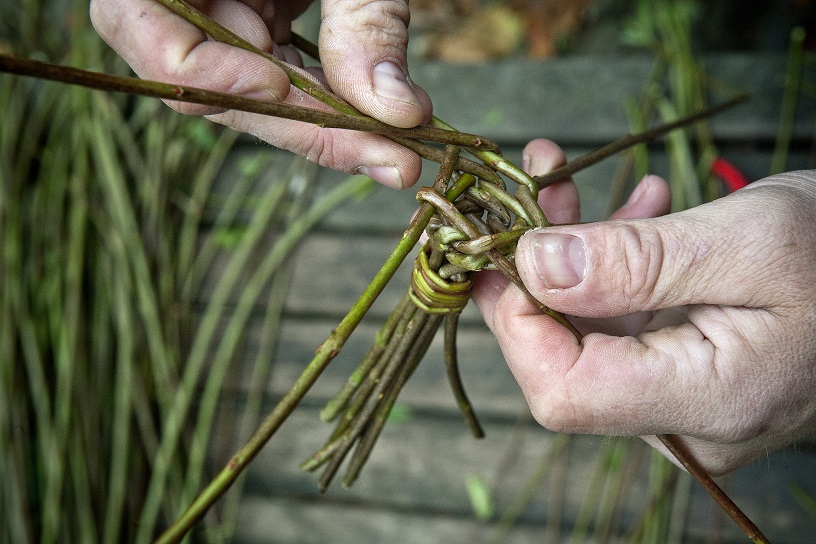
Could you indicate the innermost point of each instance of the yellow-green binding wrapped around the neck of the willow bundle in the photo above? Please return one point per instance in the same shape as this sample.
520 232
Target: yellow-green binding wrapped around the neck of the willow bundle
434 294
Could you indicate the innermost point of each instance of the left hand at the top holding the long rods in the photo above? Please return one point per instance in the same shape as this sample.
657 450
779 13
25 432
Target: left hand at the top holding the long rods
362 45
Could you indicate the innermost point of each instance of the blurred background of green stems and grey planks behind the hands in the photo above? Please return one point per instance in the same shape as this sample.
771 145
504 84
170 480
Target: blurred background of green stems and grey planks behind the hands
164 281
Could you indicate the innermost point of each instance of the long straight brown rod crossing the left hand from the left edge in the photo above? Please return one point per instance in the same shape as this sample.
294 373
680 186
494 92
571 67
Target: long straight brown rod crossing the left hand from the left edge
168 91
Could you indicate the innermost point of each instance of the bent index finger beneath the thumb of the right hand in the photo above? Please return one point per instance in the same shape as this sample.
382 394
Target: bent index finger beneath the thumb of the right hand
605 384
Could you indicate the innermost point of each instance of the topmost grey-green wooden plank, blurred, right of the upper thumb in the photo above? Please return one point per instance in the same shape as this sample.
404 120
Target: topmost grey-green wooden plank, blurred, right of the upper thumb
579 99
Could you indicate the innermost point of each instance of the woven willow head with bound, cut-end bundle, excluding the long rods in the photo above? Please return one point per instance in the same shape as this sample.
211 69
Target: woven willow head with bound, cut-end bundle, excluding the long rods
475 226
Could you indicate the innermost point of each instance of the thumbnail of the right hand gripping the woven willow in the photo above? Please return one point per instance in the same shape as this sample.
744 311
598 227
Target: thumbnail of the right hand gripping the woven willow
559 259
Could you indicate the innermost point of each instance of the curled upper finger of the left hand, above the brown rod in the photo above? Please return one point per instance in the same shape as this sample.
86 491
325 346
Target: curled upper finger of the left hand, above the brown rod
159 45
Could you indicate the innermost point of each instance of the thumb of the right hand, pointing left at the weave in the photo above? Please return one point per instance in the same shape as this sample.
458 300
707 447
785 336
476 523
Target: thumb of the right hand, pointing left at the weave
719 253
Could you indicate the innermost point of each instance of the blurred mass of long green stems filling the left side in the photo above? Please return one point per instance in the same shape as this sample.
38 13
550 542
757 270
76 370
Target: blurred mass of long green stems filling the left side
111 221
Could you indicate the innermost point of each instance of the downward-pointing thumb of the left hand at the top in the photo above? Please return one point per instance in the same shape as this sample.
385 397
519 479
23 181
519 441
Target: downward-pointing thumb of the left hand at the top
363 51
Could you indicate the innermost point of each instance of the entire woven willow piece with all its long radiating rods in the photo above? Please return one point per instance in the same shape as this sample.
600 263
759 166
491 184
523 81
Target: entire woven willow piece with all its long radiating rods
473 223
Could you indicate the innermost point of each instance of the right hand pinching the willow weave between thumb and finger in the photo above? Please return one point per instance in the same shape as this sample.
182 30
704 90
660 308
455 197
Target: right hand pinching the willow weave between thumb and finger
700 324
